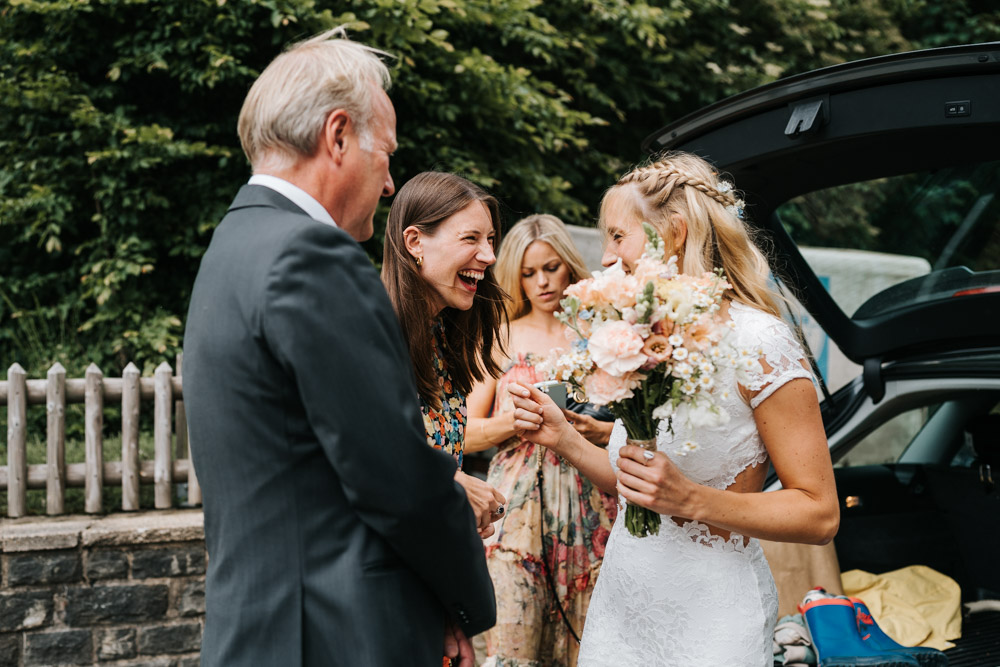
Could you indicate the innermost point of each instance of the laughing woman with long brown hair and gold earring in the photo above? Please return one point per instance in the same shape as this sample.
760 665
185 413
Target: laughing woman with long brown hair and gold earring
440 242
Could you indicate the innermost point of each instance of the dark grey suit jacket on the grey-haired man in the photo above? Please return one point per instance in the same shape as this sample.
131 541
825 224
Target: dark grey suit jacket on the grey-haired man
335 534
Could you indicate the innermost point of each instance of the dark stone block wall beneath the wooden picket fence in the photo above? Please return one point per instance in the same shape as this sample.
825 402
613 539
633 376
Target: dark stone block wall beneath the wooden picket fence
117 590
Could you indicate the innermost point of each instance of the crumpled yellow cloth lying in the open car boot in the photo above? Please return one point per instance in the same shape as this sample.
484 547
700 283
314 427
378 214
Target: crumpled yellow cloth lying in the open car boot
915 605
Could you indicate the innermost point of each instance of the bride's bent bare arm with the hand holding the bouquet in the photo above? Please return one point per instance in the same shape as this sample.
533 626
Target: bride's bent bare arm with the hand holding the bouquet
804 510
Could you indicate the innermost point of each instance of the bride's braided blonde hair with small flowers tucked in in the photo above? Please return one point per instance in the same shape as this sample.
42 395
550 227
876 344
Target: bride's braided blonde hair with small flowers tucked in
683 187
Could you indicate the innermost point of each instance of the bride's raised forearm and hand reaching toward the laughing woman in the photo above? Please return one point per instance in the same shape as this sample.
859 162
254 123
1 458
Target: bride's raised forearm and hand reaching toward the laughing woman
539 420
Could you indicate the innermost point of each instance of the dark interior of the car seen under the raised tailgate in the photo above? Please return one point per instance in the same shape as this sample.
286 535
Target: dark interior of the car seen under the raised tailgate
926 505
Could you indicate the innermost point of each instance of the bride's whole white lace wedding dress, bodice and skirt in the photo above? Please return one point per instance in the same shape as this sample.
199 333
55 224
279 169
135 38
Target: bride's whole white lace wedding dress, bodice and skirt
686 597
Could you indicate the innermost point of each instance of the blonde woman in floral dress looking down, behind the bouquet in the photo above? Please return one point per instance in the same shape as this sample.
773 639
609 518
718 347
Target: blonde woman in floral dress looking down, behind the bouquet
547 550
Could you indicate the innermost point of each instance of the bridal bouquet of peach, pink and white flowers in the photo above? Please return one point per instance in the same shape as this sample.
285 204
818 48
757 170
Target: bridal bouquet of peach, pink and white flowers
650 348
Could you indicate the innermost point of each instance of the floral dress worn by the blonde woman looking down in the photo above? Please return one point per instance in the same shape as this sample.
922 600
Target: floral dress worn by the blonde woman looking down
577 521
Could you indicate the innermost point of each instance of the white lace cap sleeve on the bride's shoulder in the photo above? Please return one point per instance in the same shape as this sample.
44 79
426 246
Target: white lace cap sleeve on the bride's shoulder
781 356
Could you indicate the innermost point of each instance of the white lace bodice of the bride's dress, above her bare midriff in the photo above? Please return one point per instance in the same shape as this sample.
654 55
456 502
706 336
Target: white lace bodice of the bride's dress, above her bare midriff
723 452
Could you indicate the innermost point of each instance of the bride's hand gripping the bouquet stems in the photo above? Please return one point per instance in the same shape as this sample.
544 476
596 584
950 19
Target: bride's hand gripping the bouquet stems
654 483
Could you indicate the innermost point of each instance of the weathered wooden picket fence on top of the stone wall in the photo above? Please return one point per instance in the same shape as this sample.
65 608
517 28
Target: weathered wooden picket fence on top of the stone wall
94 390
